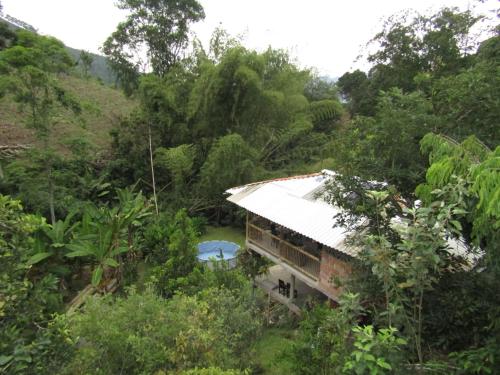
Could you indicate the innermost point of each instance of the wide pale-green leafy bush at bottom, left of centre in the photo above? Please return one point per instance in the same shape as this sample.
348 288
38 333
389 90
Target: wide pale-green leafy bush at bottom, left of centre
144 333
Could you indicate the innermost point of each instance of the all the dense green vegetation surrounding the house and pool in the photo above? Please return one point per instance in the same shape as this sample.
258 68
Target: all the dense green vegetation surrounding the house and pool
424 120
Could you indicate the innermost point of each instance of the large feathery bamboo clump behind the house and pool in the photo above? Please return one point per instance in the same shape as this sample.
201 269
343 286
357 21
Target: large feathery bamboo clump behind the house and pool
221 123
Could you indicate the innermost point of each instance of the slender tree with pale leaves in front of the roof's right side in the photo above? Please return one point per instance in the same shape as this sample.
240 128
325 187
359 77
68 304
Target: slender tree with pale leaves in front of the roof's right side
409 260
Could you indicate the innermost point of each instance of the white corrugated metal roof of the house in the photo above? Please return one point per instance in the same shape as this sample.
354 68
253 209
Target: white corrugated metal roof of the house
291 202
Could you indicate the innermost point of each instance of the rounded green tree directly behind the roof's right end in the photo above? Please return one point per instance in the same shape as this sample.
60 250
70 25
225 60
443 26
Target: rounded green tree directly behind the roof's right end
386 146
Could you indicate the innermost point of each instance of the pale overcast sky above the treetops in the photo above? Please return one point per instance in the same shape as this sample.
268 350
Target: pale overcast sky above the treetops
325 34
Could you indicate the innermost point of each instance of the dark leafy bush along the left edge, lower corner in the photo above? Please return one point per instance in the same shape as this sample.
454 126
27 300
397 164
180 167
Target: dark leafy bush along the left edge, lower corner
28 297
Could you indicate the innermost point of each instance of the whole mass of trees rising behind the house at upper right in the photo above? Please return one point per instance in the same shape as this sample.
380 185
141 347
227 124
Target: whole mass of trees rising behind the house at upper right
427 76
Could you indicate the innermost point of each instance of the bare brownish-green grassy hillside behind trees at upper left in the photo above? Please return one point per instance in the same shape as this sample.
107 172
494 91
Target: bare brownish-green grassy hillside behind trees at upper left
102 107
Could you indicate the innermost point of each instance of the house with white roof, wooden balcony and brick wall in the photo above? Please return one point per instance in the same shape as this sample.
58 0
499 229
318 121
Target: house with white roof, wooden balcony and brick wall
290 223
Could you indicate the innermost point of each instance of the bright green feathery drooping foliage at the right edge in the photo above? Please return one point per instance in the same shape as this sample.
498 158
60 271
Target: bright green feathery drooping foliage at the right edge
474 168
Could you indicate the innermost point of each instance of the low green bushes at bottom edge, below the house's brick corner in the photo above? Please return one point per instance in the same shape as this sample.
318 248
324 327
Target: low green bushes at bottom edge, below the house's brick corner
331 342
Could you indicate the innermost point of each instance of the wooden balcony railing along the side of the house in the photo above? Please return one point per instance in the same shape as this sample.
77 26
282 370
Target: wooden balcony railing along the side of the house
290 254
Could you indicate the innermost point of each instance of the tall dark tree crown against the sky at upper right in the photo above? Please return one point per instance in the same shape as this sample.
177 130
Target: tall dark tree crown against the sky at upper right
437 44
